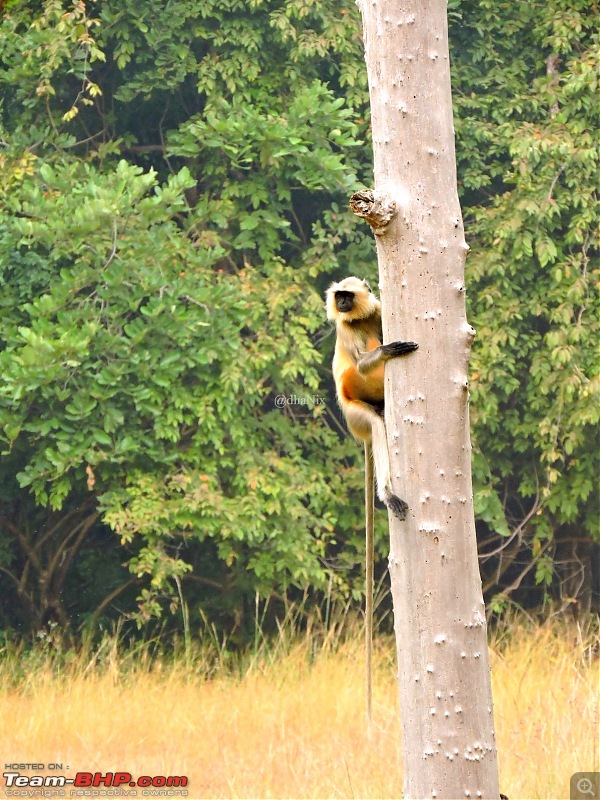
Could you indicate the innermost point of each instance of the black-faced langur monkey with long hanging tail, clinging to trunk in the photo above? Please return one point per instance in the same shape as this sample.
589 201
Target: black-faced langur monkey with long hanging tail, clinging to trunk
358 365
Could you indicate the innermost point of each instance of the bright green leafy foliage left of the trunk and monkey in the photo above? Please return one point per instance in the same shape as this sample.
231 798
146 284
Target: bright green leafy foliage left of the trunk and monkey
154 310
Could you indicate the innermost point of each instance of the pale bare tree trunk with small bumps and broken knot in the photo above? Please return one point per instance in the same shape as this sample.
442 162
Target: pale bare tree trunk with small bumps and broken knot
445 688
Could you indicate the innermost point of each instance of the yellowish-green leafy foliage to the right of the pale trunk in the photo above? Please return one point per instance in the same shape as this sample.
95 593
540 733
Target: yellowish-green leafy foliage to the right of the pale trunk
533 273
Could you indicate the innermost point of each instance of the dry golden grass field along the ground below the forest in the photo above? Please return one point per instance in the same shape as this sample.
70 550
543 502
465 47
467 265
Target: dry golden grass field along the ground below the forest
289 725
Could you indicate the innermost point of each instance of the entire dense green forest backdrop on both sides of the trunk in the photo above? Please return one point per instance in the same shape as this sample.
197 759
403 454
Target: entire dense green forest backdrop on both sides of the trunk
175 180
